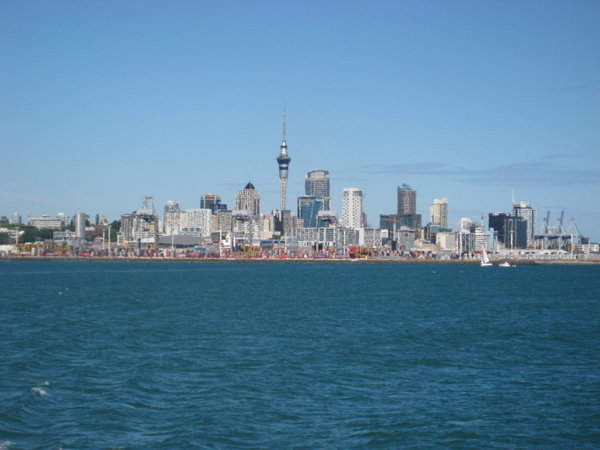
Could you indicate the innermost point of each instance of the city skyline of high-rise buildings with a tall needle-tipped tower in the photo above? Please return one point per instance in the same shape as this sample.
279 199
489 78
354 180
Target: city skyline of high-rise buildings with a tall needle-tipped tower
313 227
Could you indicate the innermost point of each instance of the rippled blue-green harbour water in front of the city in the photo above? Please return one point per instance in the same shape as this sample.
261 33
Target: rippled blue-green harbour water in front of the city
153 355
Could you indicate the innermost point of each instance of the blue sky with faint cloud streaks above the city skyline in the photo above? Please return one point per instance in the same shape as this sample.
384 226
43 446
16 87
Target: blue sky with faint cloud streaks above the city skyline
104 102
